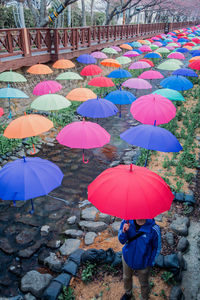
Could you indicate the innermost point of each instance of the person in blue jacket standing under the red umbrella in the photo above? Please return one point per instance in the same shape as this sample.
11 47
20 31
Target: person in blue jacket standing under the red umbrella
142 239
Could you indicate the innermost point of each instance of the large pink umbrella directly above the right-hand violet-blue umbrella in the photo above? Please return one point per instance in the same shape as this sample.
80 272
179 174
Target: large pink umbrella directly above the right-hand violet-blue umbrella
153 108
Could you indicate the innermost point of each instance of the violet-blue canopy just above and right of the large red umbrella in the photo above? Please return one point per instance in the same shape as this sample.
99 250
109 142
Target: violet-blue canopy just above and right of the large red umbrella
152 138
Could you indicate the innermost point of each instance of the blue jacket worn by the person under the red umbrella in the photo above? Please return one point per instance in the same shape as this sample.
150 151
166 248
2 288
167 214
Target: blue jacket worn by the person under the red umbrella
141 252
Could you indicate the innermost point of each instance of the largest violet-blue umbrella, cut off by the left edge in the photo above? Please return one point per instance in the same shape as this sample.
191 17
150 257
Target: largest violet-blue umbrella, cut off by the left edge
27 178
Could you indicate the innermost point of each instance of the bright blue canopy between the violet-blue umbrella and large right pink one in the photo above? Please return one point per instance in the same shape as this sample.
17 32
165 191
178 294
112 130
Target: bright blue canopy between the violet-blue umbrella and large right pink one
120 97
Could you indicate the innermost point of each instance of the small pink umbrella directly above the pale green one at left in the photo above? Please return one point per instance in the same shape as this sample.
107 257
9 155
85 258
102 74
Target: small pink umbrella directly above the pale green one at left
46 87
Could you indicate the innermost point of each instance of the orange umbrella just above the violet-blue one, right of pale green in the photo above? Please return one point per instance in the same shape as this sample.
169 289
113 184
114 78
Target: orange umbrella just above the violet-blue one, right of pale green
81 94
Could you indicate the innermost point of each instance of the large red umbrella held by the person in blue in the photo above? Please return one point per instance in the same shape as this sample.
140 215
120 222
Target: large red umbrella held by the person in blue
130 192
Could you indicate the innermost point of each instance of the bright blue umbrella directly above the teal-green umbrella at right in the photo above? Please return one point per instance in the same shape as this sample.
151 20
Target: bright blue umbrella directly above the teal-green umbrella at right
178 83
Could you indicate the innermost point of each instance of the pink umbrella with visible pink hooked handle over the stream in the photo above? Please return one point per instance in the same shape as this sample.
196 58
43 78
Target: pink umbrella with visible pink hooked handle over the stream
83 135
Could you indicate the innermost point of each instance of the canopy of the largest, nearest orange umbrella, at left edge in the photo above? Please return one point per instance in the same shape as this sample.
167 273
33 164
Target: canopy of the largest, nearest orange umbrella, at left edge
27 126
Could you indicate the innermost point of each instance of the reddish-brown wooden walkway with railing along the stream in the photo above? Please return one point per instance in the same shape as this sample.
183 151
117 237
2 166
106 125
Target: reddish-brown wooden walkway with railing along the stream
27 46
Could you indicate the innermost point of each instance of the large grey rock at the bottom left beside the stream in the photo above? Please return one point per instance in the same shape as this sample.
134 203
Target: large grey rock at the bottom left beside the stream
35 282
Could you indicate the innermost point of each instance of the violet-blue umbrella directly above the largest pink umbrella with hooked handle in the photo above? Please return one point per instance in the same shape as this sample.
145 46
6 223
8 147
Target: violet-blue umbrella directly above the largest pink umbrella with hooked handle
97 108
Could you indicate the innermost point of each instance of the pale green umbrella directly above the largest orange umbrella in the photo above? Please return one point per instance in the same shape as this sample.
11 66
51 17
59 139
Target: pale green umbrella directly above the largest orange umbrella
50 102
